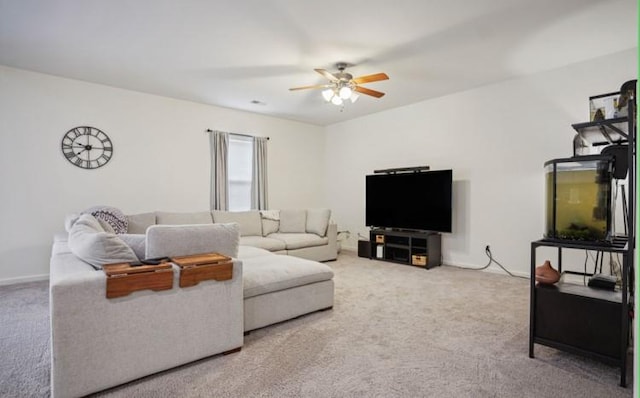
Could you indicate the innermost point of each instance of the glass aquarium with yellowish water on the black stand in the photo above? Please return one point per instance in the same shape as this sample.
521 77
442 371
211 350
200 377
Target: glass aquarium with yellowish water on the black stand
578 199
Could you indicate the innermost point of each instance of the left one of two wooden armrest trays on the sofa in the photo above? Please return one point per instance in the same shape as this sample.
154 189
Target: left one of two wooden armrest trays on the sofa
124 278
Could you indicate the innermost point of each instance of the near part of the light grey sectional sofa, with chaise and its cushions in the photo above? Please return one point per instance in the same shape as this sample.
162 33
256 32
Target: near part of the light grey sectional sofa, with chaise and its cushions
98 343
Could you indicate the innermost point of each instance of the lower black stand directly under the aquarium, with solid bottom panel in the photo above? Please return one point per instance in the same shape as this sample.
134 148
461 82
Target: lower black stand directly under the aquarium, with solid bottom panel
580 319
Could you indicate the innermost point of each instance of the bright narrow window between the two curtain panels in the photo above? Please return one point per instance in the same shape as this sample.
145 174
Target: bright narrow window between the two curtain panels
240 172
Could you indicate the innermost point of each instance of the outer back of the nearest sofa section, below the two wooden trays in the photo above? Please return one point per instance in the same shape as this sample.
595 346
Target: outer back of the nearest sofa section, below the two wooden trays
98 343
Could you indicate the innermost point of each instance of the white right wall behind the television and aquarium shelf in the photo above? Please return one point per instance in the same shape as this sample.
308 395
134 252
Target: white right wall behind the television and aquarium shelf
495 138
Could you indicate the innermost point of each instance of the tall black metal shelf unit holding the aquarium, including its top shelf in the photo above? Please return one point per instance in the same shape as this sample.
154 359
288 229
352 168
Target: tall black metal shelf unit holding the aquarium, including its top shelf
576 318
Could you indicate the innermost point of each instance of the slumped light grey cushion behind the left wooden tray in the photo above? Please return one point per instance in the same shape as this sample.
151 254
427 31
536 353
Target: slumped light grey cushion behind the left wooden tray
89 242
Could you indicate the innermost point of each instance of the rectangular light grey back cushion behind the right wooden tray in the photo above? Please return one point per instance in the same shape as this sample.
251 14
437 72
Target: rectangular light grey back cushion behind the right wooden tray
183 240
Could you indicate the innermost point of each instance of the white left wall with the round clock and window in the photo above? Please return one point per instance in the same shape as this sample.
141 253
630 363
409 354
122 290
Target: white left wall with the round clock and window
160 162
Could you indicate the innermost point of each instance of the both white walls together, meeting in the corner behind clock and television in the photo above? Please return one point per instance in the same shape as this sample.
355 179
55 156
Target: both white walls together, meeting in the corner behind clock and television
495 138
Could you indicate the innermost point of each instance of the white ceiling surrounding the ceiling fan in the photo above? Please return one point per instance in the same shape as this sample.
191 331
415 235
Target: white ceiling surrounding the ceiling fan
232 52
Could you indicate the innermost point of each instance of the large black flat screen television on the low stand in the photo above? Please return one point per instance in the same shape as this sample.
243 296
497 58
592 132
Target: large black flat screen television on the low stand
410 200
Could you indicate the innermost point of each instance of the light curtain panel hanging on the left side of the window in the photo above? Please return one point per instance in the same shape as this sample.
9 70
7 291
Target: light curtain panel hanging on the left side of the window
219 144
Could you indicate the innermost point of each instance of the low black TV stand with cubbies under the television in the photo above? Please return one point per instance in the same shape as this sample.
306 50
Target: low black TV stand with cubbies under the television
418 248
